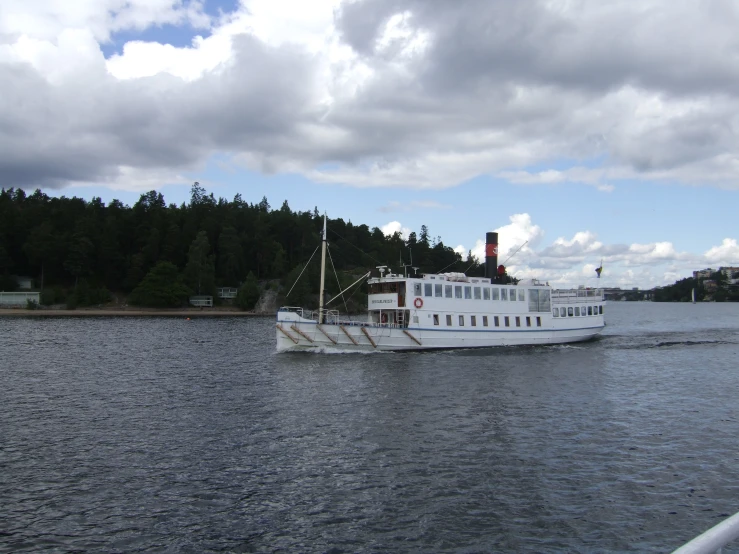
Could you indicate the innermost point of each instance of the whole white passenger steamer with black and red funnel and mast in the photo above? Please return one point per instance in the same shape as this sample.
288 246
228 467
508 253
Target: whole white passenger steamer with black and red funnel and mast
446 311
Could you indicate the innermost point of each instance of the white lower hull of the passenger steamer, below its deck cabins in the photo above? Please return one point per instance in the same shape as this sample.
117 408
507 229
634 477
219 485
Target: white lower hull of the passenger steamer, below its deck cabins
295 333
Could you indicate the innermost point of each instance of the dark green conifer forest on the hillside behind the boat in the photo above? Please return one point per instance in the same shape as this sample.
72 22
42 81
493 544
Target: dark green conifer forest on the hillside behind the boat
81 252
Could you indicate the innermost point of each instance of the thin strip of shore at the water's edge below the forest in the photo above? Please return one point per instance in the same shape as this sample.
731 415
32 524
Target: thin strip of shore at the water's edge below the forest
128 312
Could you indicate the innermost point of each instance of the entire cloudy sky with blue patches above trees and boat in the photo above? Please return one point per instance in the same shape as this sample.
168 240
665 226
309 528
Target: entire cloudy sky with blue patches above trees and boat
603 130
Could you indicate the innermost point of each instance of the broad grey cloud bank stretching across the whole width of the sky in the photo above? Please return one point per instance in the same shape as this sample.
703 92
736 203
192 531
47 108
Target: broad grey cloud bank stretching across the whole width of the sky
551 82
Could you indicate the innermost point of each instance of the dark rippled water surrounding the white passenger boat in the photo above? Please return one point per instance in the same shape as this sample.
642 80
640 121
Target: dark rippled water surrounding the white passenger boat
123 435
